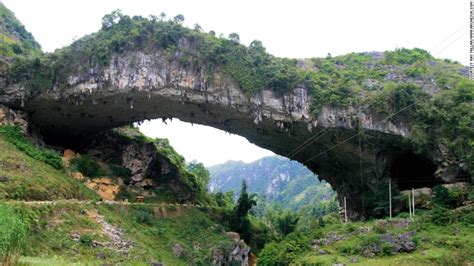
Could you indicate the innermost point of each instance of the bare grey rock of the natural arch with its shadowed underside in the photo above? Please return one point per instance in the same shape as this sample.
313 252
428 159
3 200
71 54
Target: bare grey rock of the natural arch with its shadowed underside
138 85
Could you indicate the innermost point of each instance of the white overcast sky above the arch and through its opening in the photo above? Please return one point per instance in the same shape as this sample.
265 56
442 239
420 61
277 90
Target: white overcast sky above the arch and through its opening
295 28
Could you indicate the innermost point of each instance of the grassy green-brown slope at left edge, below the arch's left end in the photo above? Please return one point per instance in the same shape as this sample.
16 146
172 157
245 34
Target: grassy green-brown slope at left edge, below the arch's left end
31 173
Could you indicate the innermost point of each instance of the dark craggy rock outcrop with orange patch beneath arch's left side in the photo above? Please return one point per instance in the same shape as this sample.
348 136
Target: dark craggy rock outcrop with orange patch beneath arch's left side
149 168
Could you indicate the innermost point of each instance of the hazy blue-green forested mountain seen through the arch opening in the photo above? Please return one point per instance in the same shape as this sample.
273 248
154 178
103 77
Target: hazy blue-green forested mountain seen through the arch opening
277 179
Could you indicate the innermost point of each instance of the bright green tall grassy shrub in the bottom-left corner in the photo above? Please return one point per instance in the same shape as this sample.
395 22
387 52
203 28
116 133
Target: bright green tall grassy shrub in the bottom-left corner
13 232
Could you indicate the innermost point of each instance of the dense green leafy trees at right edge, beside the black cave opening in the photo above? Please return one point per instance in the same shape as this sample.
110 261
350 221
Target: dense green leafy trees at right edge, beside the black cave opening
446 123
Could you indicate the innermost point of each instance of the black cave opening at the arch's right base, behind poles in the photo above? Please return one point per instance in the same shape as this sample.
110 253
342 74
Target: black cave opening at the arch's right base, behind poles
413 171
